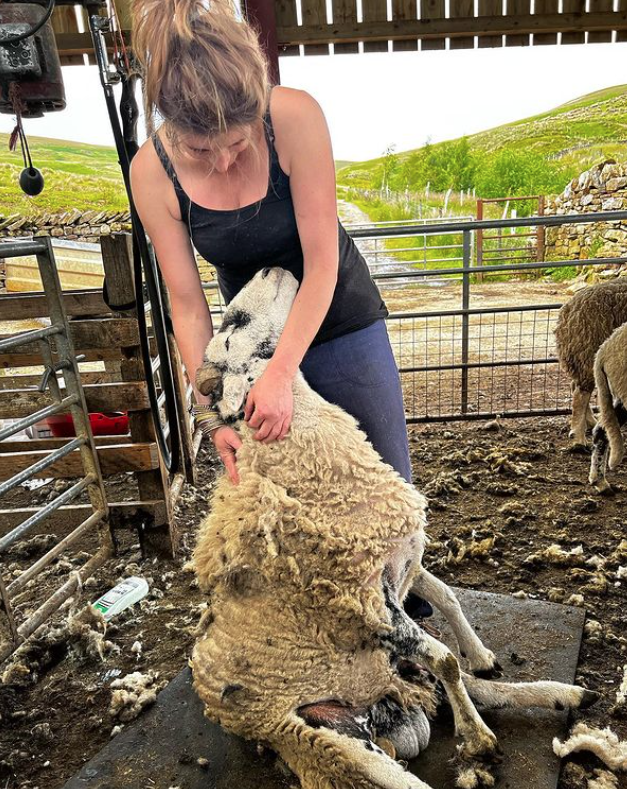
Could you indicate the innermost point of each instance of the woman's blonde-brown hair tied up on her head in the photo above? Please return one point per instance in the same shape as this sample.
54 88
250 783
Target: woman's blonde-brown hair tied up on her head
204 70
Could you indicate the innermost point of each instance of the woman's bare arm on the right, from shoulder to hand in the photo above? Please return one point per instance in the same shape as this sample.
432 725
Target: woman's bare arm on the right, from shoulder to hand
306 155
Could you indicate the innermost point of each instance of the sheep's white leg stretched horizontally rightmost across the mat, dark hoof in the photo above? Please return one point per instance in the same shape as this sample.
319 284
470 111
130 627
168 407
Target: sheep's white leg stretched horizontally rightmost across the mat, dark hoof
549 695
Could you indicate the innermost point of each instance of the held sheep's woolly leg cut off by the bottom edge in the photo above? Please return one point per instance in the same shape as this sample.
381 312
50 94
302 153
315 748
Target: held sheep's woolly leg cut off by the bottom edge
323 757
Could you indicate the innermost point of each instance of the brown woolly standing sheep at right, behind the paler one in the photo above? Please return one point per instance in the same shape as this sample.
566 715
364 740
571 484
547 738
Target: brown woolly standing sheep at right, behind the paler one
583 324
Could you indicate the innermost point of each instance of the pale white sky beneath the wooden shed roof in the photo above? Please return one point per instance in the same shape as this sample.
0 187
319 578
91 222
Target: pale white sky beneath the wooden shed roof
403 99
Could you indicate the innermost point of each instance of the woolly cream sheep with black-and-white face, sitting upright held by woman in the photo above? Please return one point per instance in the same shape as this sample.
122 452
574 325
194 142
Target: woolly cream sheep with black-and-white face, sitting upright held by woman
306 562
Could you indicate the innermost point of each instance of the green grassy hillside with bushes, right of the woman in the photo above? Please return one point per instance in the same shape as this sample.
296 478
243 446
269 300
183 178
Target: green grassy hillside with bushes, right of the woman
534 155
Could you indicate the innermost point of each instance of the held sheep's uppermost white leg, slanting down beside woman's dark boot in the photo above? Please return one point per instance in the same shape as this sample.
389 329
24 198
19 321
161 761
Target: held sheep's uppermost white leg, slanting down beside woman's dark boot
482 661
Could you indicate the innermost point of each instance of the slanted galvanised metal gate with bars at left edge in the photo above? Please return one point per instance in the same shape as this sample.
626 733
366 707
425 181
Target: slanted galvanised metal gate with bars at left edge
84 443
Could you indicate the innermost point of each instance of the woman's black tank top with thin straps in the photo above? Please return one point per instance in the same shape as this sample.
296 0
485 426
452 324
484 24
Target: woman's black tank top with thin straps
239 242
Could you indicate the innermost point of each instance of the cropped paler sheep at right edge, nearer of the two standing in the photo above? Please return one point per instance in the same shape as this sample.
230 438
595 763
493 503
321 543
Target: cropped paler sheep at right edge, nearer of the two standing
610 375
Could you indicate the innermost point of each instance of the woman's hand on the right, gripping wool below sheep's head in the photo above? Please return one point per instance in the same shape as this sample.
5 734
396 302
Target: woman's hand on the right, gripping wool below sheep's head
269 406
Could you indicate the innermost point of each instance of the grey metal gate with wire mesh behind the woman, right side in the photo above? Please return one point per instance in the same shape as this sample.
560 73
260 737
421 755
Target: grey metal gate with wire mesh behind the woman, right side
478 362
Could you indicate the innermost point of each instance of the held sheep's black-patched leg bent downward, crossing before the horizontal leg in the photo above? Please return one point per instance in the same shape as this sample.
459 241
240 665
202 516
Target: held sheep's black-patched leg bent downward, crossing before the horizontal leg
408 640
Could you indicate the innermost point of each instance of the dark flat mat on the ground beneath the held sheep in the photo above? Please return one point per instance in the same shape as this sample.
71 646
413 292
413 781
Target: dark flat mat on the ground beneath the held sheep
160 750
